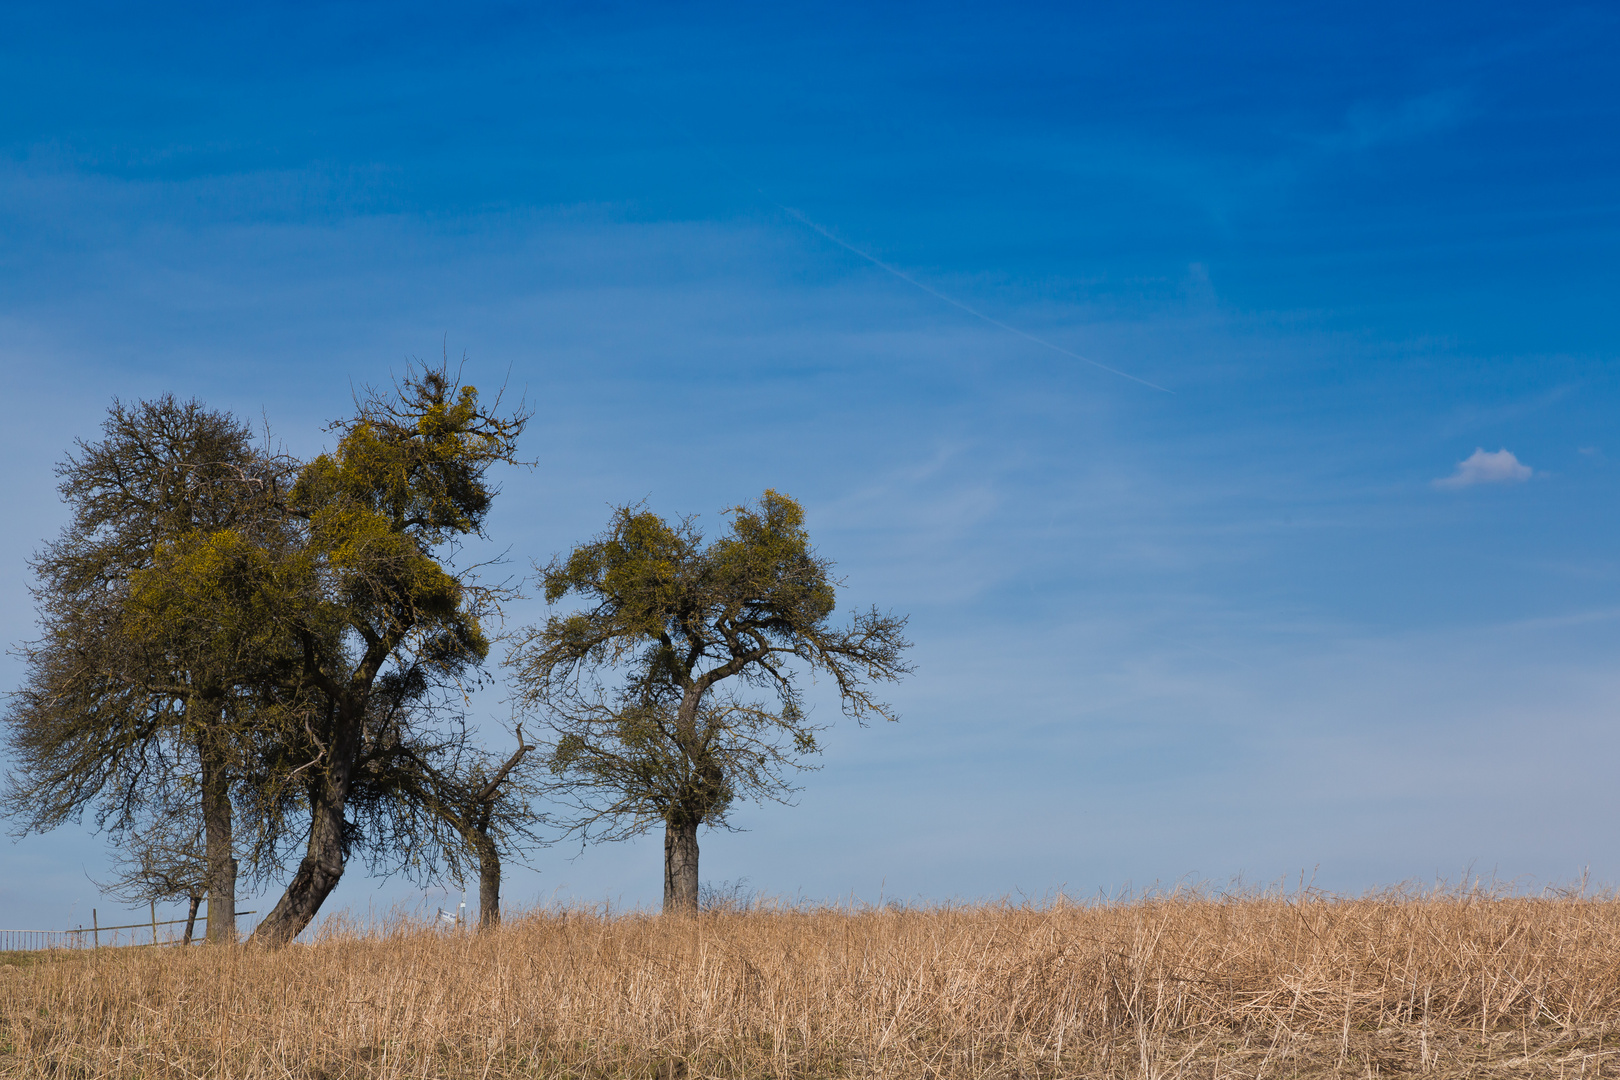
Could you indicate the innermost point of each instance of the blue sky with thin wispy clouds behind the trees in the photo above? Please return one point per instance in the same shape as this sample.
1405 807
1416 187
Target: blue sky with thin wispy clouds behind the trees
1229 627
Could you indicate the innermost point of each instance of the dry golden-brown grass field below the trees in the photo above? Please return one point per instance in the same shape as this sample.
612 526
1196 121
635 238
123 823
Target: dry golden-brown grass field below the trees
1441 985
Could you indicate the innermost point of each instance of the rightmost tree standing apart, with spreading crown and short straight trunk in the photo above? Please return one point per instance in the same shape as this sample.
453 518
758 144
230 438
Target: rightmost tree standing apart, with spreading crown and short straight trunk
647 686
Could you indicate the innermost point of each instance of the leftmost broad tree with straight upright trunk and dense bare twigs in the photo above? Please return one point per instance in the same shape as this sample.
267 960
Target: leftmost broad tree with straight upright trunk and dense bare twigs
137 700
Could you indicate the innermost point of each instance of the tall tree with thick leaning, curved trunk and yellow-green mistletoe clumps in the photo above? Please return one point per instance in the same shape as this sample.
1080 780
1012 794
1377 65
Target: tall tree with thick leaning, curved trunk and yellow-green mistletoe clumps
380 600
